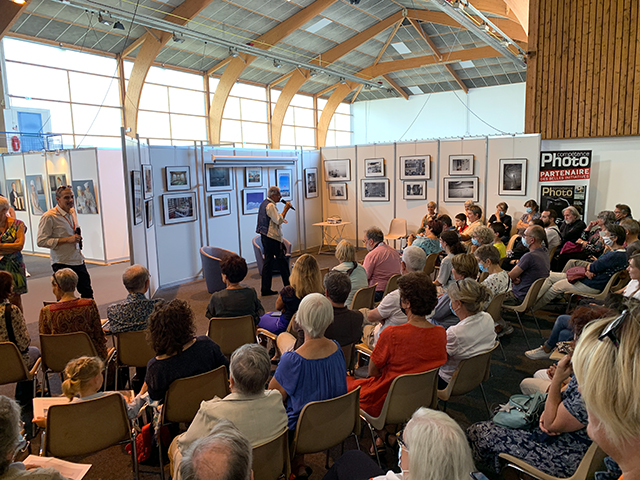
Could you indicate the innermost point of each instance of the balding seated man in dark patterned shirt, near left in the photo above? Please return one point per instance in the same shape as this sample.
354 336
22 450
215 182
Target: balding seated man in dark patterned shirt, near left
131 315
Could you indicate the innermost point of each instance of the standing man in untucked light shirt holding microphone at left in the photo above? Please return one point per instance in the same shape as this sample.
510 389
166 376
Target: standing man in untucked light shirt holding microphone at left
59 231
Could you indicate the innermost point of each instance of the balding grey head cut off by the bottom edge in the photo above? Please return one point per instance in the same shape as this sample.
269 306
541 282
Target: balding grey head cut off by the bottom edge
224 454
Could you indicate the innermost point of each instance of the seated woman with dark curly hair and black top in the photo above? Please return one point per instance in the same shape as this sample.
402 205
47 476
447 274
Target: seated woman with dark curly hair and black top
179 353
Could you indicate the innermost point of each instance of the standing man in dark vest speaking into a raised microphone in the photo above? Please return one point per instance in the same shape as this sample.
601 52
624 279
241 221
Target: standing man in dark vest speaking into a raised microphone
270 230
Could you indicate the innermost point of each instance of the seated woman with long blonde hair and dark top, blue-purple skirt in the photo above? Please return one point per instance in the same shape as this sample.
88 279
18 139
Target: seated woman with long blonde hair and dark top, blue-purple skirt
305 279
